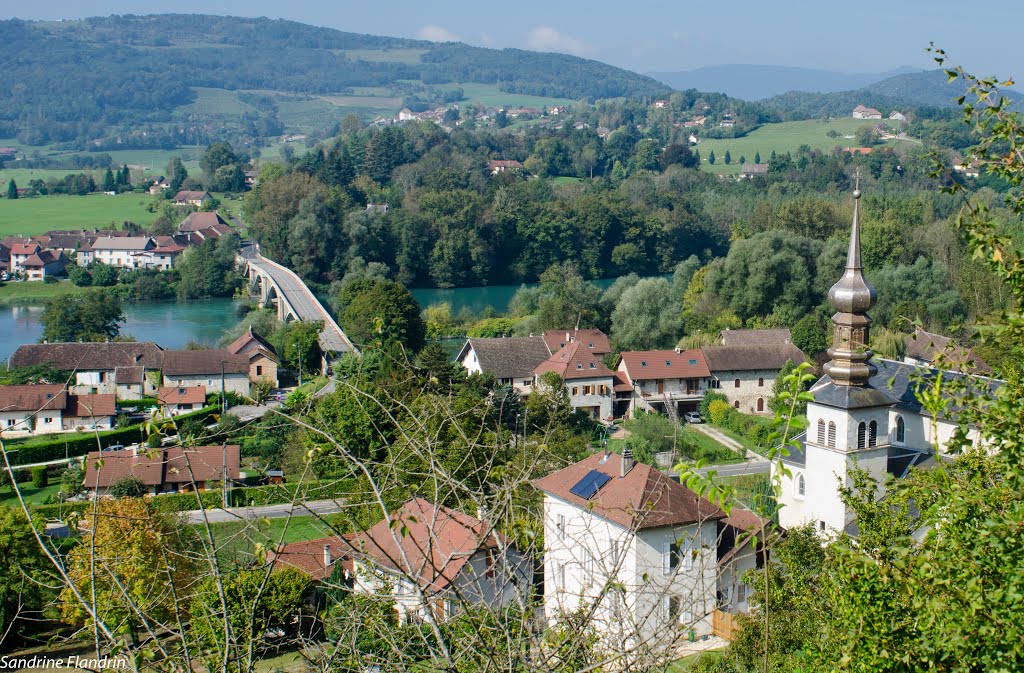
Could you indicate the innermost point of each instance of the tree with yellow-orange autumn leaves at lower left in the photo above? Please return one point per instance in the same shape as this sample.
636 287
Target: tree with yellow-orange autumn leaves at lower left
135 562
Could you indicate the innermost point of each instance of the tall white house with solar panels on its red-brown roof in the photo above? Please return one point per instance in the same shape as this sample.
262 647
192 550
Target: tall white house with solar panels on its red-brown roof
608 520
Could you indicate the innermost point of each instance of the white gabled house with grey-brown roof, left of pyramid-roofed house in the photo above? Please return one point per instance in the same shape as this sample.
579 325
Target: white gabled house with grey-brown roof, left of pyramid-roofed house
510 360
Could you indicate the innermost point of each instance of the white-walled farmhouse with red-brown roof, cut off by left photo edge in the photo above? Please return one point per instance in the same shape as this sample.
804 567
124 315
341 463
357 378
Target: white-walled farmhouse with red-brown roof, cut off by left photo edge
44 409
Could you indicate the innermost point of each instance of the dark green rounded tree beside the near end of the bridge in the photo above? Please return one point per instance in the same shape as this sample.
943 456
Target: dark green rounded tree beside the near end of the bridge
375 311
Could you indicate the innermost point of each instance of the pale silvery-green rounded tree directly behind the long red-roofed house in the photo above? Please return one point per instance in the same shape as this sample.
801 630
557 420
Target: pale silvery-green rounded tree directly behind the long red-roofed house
647 318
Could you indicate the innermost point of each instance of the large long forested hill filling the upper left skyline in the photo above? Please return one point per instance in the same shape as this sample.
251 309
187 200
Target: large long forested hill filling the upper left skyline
70 80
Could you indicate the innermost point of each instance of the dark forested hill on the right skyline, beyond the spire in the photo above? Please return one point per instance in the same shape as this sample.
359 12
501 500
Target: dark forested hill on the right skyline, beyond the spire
910 91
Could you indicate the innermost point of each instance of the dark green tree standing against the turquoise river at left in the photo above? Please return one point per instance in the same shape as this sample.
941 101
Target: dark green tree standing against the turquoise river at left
91 316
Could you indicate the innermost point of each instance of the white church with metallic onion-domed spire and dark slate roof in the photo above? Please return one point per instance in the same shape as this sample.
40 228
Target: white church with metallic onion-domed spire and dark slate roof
866 413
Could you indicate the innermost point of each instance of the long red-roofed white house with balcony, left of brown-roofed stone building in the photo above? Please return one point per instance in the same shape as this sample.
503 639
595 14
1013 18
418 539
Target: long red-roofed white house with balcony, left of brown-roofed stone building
665 382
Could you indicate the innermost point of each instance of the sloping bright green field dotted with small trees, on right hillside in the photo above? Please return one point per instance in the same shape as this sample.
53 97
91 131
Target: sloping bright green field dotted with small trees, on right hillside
783 138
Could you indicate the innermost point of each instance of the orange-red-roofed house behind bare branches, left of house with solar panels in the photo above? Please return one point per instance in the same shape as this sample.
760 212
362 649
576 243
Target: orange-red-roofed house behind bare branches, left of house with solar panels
434 561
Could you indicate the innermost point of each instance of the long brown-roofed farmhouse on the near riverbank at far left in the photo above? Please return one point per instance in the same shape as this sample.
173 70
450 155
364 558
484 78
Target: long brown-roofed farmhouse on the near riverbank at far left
123 368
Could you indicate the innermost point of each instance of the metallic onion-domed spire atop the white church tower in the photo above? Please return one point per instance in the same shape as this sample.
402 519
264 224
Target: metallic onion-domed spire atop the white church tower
851 298
